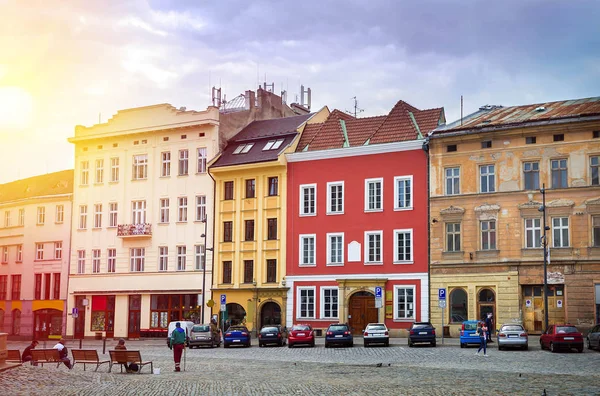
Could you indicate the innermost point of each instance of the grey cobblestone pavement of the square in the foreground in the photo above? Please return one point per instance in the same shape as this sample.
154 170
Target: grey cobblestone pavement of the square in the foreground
397 370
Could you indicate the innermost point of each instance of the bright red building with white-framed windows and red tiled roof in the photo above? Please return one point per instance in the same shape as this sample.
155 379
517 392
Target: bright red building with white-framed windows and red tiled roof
357 220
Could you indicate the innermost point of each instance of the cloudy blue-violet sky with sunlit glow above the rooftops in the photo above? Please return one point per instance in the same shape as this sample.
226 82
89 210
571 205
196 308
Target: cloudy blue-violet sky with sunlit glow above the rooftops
66 62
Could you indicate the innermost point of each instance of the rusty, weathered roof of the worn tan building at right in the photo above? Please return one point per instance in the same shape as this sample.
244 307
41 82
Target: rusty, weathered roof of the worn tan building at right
499 117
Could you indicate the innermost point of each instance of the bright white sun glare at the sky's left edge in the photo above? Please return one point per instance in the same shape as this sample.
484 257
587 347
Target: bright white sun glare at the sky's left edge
16 106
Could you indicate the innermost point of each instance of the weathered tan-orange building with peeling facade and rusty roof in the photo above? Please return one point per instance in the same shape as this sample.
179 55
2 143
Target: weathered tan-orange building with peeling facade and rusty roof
486 229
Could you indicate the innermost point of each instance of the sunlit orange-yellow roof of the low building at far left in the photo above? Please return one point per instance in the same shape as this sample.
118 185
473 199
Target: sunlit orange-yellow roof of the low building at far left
56 183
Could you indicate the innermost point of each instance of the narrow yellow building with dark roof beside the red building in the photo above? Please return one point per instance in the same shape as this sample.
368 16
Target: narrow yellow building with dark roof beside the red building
250 220
